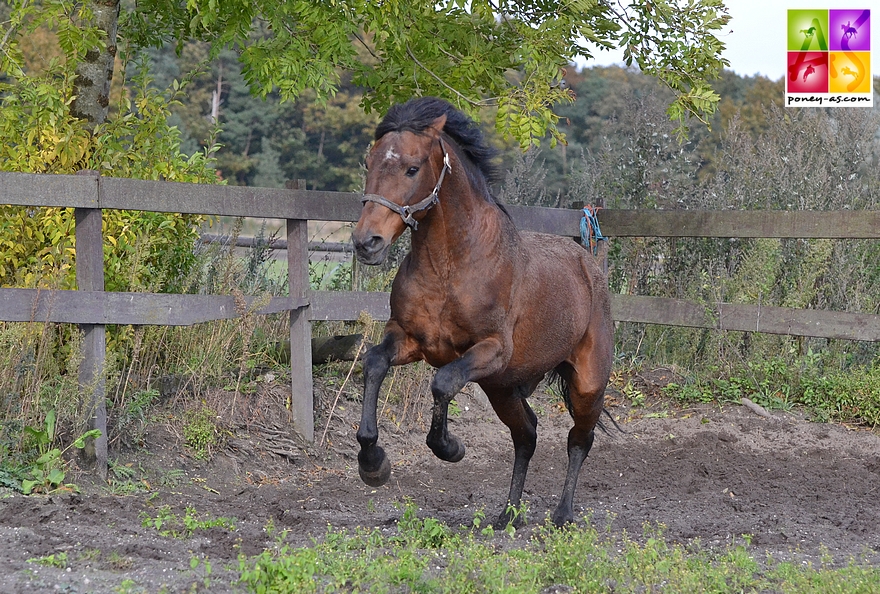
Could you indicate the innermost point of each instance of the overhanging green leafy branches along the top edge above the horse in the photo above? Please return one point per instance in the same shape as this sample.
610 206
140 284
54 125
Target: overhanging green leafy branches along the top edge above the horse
510 55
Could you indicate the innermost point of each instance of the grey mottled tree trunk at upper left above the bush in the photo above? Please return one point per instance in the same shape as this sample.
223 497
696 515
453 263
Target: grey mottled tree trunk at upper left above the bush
94 73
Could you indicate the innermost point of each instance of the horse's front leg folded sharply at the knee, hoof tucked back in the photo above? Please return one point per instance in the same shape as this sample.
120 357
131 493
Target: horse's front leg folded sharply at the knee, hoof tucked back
481 360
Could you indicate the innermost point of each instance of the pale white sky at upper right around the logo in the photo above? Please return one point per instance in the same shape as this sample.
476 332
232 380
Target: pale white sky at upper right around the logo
756 35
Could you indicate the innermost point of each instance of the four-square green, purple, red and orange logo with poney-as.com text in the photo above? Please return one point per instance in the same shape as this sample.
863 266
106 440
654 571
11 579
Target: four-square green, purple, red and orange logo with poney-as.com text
829 58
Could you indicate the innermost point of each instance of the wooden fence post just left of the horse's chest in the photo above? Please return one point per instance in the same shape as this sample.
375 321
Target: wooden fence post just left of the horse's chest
302 390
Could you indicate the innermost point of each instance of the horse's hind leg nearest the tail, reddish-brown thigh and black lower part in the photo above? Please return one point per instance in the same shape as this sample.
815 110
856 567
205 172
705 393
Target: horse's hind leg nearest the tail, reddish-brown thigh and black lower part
586 380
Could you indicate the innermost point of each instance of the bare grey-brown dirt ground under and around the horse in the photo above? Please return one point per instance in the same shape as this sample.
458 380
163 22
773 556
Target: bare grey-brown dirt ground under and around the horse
800 489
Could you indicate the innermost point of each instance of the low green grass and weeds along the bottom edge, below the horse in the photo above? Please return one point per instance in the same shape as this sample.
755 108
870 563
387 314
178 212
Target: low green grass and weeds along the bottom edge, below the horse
425 555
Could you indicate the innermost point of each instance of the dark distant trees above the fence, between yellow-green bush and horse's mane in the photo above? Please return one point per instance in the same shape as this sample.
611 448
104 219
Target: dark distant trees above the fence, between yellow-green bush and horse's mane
265 142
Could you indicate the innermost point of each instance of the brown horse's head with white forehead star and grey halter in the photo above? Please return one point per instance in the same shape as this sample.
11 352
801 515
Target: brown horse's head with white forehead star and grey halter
404 173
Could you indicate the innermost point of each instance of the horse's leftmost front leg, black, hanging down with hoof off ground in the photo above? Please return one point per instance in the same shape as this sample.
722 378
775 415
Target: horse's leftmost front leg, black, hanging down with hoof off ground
373 465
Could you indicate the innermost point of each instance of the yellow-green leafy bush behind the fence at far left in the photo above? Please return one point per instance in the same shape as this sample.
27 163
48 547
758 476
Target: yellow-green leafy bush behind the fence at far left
142 250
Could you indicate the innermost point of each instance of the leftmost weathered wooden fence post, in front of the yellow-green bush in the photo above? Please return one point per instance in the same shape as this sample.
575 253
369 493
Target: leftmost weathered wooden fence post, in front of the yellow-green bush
90 277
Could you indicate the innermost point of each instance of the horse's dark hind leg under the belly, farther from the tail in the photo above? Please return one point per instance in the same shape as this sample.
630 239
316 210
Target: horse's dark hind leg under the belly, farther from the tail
514 411
